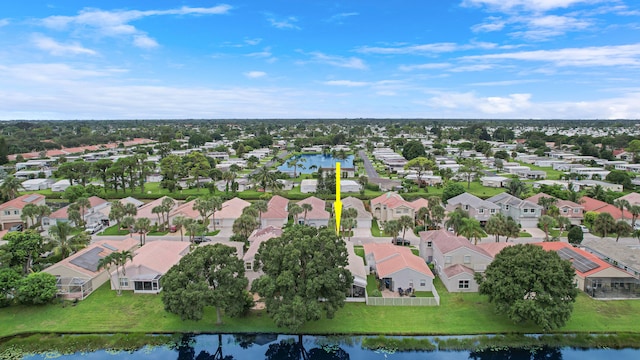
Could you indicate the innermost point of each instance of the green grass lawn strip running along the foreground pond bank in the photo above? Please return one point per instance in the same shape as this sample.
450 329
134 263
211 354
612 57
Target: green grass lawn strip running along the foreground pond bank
467 313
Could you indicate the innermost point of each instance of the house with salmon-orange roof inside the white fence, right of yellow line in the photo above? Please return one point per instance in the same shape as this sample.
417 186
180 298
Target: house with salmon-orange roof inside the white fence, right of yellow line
397 267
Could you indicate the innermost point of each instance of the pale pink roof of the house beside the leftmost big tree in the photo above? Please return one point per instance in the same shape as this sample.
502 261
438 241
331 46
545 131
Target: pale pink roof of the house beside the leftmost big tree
158 256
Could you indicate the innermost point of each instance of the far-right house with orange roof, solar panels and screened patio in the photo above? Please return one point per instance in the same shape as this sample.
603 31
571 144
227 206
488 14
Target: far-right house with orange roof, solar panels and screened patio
596 277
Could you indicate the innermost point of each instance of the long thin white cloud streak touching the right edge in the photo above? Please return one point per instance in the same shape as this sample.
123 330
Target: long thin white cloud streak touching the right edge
622 55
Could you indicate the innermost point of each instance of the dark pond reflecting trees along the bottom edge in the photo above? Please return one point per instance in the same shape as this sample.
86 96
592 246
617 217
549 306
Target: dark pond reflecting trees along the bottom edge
277 347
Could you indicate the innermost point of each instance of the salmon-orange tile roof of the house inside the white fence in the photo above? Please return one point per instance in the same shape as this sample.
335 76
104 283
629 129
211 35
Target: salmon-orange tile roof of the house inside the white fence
391 259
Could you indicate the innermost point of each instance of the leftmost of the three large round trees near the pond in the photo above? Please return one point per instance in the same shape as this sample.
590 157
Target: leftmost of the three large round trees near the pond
209 276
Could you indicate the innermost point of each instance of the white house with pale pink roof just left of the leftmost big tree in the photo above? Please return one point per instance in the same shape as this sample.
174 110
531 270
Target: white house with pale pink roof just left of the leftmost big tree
150 262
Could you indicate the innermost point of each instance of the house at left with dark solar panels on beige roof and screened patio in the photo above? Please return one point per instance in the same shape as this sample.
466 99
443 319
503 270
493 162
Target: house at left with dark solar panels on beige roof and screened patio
78 275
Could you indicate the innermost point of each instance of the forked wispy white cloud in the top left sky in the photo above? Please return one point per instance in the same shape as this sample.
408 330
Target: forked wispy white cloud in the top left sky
116 23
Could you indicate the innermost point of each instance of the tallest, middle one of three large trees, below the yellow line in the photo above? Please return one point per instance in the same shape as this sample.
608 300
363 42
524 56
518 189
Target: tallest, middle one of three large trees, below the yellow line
305 275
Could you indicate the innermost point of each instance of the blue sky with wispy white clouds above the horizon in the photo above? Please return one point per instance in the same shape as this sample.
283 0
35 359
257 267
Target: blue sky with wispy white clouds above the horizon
68 59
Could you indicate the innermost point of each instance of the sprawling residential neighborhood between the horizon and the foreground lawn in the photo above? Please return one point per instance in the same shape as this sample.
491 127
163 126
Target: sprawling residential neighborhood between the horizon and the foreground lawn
426 207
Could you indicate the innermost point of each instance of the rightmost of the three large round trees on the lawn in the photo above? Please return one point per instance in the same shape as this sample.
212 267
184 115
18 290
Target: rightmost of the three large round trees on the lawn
527 283
